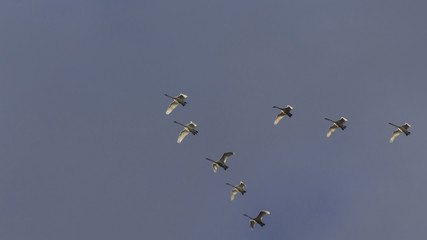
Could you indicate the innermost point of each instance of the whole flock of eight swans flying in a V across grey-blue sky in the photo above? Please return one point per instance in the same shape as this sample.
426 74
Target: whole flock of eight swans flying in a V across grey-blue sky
190 128
